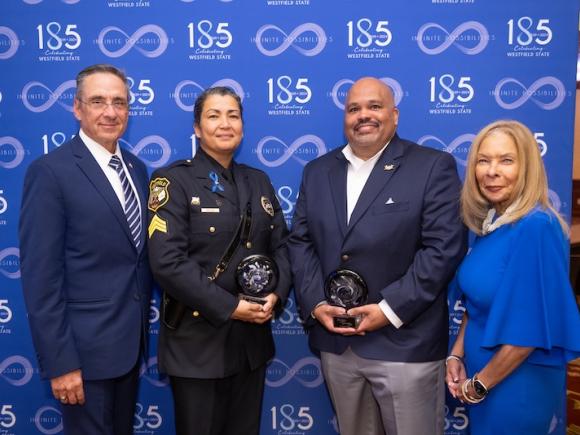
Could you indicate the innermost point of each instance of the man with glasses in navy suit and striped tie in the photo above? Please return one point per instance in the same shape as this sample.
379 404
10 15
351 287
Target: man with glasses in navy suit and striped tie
85 272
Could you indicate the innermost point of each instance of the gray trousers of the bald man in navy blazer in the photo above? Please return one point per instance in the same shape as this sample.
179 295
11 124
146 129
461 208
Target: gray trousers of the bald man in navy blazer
373 397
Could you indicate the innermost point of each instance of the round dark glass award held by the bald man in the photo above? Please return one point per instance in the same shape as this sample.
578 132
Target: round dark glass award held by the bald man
347 289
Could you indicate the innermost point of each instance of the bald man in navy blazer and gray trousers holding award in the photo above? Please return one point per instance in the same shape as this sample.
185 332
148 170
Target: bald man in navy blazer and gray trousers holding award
387 209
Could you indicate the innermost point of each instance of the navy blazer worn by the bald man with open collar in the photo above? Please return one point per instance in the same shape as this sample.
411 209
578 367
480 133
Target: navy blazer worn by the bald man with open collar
405 238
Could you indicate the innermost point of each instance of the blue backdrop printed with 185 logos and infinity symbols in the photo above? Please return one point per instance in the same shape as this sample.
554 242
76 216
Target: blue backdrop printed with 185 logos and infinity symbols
454 65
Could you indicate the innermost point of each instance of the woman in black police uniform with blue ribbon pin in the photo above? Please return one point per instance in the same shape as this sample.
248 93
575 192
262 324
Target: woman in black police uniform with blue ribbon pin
216 352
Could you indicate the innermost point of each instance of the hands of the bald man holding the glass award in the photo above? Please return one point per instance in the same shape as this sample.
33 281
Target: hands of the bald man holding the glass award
372 318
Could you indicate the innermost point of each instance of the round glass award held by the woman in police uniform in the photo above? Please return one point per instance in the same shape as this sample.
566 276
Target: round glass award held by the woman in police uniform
257 277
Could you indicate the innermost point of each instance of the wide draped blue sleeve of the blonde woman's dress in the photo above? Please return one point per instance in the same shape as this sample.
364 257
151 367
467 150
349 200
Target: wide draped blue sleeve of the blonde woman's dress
534 305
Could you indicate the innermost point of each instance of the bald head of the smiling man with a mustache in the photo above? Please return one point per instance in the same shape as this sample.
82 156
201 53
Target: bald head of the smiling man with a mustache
370 116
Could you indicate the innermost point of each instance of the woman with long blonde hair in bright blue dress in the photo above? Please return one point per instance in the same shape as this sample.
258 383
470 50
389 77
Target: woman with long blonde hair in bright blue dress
521 324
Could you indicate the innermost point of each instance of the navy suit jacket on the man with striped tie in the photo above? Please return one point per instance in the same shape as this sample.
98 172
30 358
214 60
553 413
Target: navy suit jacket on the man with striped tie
86 286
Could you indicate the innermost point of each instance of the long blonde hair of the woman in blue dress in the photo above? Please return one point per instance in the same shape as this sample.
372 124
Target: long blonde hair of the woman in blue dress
531 187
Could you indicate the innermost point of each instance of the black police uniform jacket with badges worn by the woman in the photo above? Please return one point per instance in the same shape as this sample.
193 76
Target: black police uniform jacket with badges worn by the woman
208 343
